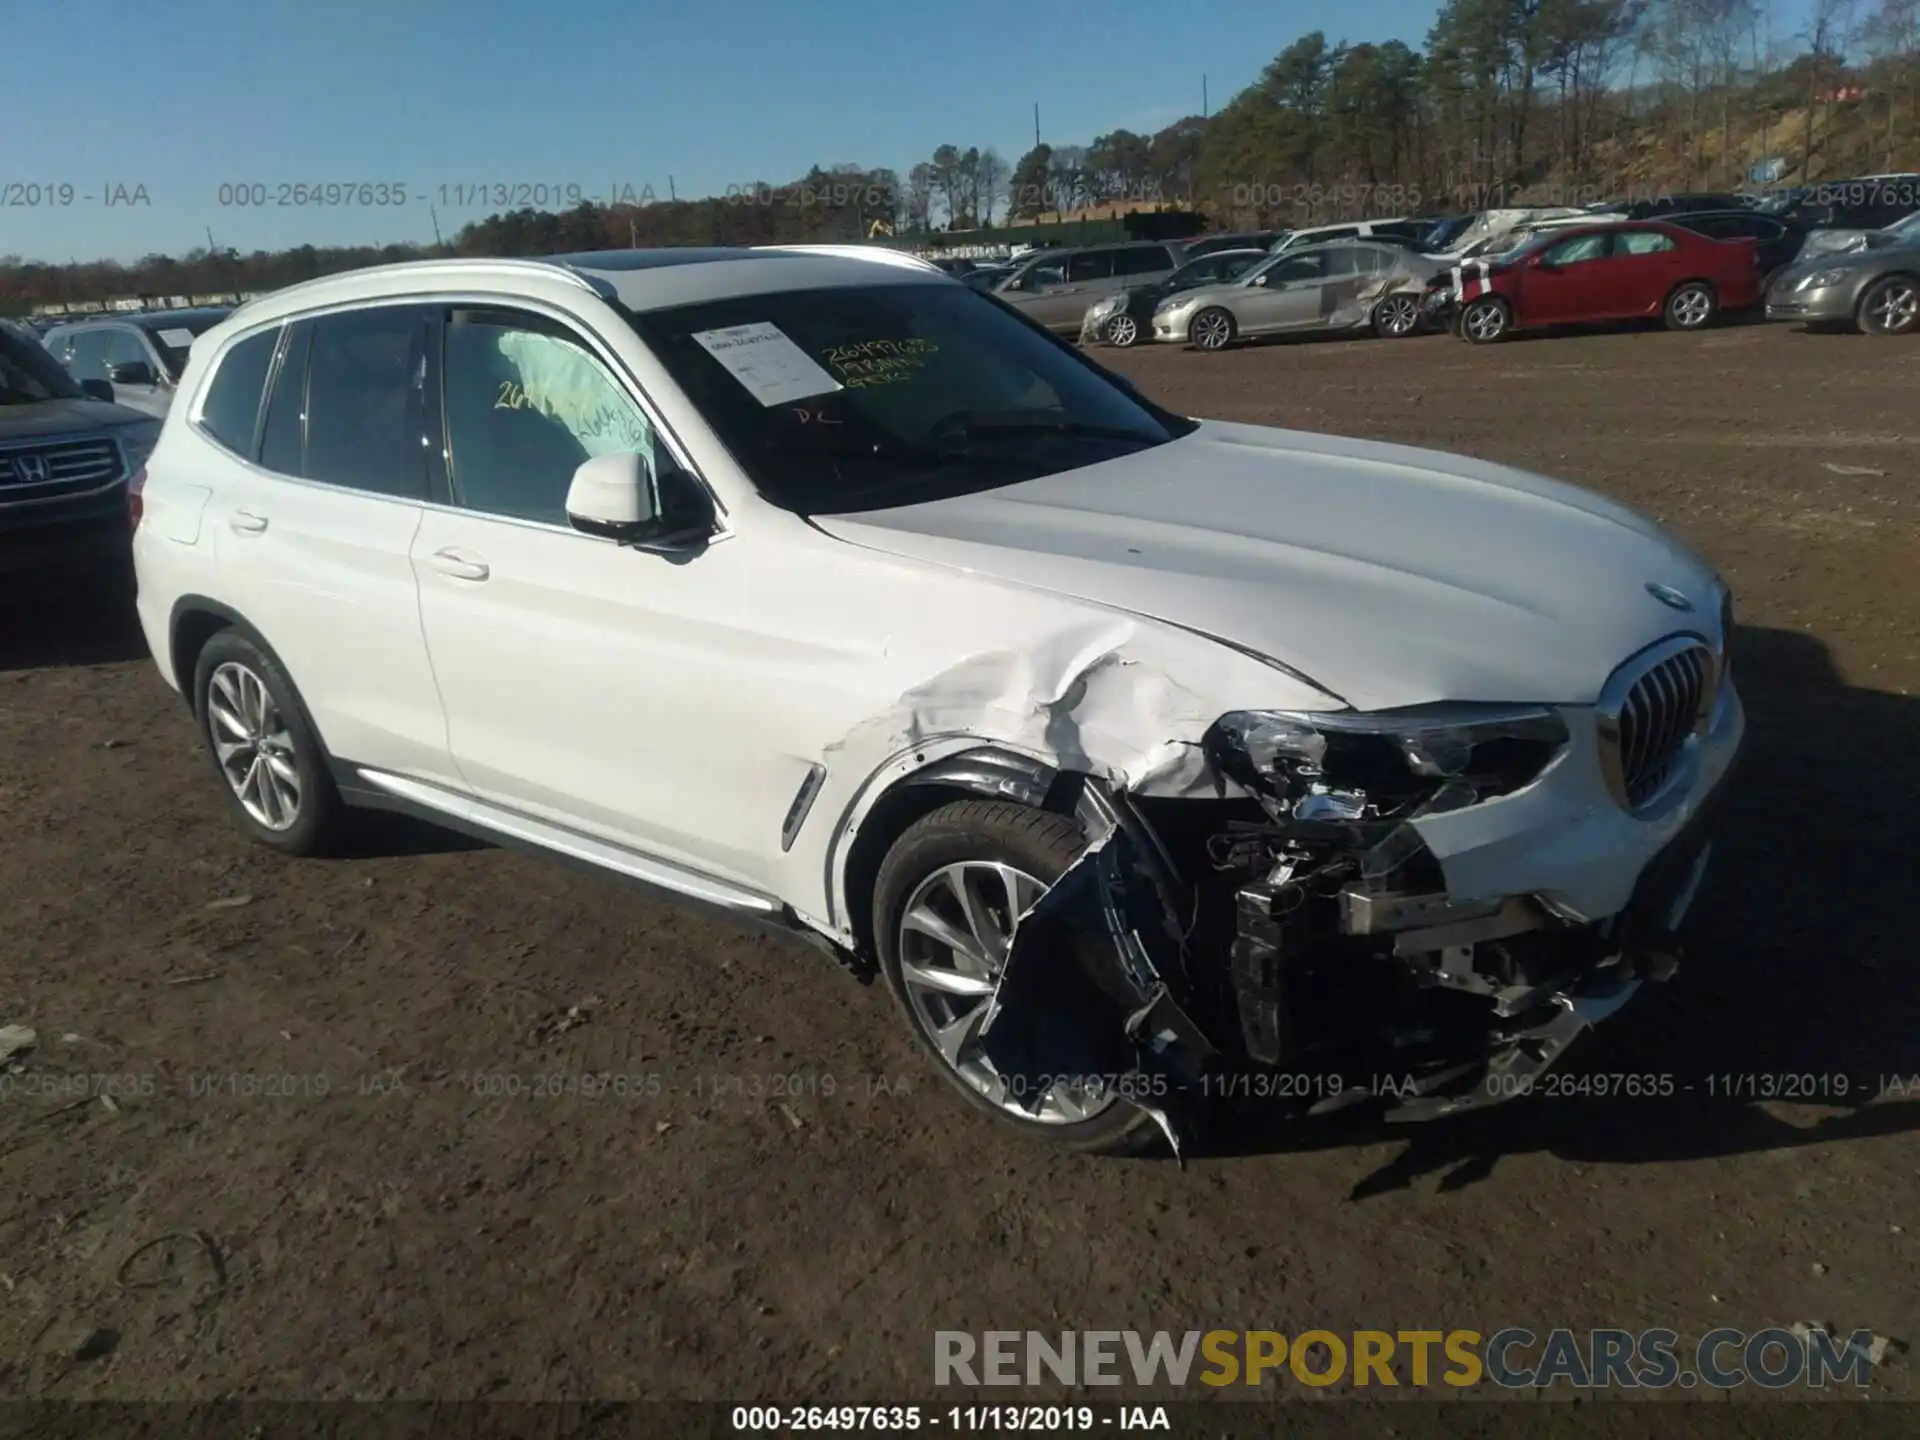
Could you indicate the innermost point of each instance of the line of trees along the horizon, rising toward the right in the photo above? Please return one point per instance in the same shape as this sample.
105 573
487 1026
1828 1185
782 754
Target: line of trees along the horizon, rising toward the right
1508 101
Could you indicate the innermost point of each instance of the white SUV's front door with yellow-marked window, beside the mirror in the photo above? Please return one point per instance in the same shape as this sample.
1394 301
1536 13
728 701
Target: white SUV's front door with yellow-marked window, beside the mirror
587 684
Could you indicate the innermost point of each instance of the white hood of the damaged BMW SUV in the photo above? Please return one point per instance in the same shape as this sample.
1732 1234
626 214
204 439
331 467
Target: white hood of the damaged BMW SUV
1383 573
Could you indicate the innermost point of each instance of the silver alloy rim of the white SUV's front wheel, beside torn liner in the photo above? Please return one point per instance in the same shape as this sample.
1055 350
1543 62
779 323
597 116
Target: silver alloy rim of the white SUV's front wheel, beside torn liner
955 936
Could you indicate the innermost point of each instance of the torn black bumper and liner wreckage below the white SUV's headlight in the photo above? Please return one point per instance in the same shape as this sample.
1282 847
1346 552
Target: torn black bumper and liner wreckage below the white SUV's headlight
1347 972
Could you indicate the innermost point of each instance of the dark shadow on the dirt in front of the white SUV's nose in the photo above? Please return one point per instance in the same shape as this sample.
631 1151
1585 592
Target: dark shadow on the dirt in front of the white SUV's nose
1796 967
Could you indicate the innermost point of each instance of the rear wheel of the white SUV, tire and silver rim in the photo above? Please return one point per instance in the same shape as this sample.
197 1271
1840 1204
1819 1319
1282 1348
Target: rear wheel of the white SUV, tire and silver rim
264 748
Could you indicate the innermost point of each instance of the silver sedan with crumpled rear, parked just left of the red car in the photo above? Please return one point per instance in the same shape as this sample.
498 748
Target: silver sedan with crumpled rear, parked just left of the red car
1343 285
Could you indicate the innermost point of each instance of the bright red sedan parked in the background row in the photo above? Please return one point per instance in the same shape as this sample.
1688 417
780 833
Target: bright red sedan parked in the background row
1600 274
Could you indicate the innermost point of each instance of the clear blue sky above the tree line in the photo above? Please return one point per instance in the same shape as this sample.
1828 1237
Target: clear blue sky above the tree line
183 97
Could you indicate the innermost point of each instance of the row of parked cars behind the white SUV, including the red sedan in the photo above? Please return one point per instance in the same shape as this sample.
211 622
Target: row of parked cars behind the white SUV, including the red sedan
1547 270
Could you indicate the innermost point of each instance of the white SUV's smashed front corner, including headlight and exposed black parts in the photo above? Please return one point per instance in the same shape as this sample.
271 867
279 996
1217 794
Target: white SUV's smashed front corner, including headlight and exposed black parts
1297 924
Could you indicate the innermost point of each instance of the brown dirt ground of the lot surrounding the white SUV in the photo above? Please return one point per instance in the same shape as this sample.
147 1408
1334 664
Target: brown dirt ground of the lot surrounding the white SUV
329 1172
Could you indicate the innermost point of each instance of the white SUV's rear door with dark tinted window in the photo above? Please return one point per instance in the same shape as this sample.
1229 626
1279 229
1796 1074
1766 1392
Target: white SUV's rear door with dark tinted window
314 529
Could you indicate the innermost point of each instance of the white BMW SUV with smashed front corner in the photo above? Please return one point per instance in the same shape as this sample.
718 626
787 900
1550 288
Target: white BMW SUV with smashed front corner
1147 759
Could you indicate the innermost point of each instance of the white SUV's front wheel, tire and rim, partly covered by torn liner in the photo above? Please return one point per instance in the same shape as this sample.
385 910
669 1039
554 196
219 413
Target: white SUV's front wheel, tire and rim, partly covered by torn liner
946 909
